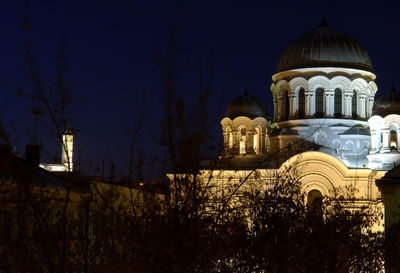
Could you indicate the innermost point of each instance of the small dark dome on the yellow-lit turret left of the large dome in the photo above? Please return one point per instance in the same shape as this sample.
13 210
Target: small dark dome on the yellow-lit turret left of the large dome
247 106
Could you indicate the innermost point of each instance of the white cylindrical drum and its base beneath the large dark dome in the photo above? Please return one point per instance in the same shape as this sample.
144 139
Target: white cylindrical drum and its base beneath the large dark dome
325 106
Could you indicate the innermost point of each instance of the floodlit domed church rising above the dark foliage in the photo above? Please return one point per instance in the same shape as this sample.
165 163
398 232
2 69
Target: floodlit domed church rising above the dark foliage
326 120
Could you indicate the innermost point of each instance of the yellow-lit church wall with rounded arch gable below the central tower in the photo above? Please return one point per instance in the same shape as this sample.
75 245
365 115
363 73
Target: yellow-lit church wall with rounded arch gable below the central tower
315 170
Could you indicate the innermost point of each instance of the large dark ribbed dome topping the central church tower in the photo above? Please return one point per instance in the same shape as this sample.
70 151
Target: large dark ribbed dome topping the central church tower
324 46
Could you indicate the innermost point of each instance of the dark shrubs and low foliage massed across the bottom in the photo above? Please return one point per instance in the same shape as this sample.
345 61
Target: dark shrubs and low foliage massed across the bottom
107 229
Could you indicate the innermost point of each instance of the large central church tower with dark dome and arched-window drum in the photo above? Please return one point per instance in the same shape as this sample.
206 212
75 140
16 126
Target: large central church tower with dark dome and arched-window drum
323 93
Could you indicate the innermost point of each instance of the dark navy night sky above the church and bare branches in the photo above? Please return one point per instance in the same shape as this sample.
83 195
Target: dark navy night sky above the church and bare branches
110 48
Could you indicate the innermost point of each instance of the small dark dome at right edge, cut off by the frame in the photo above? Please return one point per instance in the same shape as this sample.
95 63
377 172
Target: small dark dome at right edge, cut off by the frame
387 104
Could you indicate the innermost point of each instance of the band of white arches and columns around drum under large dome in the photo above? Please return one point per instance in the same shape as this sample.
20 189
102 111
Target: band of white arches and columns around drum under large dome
365 92
